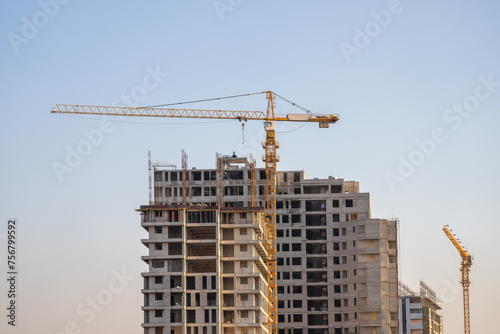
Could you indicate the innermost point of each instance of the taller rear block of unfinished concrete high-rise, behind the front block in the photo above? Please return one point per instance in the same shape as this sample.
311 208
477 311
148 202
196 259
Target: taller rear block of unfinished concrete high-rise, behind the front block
337 266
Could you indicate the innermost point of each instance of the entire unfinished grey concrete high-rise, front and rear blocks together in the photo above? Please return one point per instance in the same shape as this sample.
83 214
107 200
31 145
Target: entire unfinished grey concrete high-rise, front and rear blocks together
337 266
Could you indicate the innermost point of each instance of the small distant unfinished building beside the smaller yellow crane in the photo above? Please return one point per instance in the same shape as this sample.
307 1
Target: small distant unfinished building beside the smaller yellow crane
419 311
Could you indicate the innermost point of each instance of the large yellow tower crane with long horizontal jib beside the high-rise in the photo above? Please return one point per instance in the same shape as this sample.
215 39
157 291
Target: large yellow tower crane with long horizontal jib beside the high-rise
270 159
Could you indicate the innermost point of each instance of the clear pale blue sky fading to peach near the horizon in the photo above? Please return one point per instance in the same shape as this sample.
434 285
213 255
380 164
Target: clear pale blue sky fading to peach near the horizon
417 85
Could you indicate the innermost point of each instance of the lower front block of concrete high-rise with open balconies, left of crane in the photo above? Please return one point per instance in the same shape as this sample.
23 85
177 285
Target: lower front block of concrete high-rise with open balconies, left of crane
207 272
